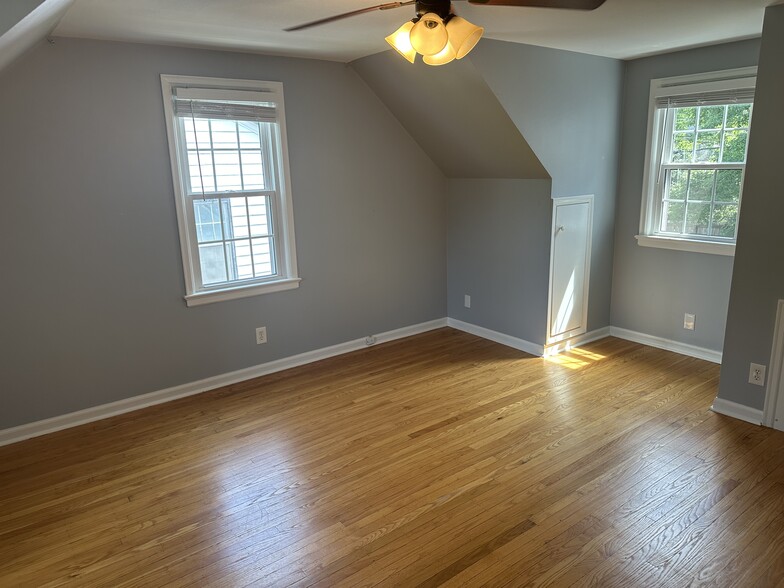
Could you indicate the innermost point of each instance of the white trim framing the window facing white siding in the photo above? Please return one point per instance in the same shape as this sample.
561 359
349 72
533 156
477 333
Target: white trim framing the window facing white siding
288 277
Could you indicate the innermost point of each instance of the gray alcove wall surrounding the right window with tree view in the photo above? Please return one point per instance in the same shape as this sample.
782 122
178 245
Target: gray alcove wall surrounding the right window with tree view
653 288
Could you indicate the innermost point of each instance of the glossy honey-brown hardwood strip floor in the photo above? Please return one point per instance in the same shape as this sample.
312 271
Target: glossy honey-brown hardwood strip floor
438 460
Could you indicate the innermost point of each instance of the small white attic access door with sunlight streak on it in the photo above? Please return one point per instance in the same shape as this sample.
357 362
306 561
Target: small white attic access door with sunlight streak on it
570 261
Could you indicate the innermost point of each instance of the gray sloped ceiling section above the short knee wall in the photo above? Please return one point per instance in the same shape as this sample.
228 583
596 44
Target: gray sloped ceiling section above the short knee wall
453 115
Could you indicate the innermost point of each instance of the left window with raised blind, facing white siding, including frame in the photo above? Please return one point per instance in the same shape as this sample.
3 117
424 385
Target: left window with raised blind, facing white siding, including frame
227 142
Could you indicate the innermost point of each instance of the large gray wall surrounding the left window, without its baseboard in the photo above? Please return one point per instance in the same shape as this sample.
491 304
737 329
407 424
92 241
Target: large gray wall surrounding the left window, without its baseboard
92 309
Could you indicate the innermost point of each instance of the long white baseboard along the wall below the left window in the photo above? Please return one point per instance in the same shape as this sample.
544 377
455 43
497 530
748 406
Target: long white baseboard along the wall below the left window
103 411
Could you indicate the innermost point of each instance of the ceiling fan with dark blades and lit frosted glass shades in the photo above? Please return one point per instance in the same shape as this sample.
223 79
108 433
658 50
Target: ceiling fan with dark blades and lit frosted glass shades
437 33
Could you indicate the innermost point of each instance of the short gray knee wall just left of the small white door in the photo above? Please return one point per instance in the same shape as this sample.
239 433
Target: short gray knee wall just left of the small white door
497 229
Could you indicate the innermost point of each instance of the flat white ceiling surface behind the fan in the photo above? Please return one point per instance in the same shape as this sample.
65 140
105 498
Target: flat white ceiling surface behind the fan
620 28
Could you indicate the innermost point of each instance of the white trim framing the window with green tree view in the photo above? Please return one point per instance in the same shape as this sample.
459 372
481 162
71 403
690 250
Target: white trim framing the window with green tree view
690 84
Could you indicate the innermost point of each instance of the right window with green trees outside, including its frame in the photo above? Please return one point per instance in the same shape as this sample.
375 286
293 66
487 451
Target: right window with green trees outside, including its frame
698 136
